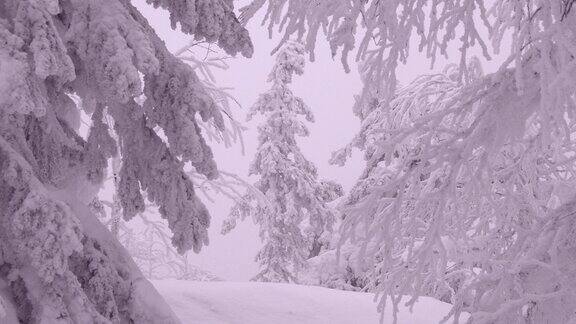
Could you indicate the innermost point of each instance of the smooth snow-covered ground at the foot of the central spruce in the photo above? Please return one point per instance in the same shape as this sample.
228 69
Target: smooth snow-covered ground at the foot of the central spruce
271 303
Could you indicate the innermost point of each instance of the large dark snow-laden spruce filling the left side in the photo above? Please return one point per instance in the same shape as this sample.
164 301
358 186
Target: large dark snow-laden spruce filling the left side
60 264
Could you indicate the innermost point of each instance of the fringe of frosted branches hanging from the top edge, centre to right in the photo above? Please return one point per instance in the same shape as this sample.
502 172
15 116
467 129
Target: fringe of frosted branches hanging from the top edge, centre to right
378 33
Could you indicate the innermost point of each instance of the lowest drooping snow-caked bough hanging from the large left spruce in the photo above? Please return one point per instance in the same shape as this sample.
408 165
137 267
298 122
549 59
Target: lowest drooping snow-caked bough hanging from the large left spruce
160 174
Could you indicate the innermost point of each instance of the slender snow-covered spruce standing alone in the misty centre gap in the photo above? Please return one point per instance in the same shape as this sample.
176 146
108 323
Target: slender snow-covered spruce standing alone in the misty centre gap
296 214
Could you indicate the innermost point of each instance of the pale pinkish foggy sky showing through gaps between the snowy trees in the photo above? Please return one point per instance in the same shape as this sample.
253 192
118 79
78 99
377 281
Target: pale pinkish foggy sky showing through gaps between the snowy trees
329 92
